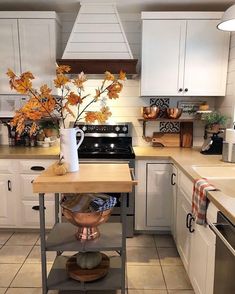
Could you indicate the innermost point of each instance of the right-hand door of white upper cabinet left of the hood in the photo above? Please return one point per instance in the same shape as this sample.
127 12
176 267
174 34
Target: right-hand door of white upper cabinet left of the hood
38 49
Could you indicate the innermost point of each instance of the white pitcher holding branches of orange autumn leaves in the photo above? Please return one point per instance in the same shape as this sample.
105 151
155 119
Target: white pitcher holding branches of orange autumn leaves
71 101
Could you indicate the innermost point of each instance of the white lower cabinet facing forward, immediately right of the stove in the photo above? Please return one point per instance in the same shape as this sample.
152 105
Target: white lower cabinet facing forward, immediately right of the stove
153 205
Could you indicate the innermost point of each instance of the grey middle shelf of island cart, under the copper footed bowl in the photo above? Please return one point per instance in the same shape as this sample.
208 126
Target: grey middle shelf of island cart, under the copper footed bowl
62 238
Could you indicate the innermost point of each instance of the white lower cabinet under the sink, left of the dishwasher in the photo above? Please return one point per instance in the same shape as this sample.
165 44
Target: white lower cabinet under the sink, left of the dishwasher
196 248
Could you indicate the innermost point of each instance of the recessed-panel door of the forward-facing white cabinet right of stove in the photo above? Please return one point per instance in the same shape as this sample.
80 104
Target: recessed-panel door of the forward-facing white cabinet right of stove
159 195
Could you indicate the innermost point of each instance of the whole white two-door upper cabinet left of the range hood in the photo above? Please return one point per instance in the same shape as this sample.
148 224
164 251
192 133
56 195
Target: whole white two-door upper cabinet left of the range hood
28 43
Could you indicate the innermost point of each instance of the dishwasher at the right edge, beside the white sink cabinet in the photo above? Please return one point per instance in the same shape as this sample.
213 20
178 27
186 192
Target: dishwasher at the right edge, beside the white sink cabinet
224 282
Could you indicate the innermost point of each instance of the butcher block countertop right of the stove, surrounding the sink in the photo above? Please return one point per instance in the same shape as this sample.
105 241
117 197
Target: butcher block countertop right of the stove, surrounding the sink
185 159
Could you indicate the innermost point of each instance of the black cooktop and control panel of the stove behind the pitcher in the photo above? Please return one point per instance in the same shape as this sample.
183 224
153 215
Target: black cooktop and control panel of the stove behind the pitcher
107 141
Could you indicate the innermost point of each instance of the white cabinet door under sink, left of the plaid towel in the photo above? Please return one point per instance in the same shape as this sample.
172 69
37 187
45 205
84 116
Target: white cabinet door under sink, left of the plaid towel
182 232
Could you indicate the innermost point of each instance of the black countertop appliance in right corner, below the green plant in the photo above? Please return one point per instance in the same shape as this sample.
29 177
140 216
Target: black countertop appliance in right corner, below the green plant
213 143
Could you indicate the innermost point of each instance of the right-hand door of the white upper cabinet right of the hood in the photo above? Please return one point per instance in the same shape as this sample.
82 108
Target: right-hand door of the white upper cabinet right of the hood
206 58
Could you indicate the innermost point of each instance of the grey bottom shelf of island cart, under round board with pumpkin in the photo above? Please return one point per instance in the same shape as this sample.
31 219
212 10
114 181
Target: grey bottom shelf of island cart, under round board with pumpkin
58 278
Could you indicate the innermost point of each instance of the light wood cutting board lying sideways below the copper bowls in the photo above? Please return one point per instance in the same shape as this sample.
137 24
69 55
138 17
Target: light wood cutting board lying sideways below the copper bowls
166 139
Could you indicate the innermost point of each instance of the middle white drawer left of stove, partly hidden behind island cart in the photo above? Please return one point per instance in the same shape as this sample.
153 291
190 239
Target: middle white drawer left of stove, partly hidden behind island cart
27 188
